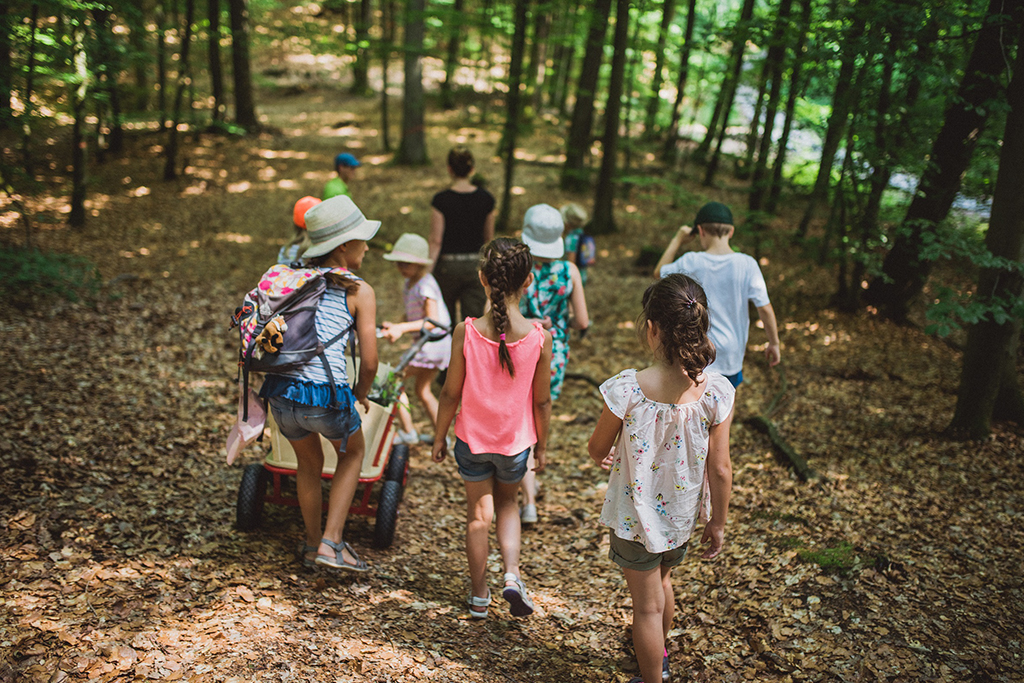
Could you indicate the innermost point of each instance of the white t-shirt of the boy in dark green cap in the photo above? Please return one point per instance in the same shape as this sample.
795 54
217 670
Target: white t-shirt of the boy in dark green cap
730 281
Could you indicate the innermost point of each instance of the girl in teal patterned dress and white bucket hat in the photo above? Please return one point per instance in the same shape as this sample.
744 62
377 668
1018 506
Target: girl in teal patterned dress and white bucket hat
558 286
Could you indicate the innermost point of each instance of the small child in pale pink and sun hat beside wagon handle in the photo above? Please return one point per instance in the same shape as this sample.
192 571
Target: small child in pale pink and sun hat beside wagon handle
423 301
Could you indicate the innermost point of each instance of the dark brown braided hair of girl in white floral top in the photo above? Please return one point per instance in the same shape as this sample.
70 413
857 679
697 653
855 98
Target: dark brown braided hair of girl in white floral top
678 307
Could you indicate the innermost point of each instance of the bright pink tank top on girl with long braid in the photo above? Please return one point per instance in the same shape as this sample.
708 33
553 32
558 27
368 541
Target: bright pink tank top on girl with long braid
497 414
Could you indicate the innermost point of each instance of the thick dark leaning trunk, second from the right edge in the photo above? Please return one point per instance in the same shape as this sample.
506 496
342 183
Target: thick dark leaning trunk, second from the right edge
905 273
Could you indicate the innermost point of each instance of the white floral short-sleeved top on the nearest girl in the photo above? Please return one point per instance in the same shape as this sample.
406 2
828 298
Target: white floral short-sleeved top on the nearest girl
658 483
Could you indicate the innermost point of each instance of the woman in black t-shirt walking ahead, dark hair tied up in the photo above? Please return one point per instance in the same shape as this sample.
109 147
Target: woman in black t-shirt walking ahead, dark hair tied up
462 221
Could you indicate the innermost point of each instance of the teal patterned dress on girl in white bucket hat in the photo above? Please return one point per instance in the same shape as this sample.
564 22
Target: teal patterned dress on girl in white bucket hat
548 296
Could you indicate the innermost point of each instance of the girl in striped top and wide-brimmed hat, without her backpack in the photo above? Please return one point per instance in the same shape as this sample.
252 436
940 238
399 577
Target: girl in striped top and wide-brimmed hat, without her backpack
302 400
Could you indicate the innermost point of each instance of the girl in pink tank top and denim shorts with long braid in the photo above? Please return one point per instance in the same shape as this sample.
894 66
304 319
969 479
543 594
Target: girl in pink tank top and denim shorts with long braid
500 376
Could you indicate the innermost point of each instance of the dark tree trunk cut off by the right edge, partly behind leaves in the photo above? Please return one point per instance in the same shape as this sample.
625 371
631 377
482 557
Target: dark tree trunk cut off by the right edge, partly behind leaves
990 362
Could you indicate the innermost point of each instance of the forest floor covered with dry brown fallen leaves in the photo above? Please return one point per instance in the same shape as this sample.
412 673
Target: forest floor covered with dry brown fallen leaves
118 552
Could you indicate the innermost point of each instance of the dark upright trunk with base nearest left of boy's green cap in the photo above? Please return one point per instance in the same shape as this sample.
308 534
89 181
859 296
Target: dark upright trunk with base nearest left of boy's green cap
605 222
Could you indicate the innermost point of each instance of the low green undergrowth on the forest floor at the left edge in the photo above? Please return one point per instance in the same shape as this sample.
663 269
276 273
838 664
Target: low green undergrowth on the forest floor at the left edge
30 275
